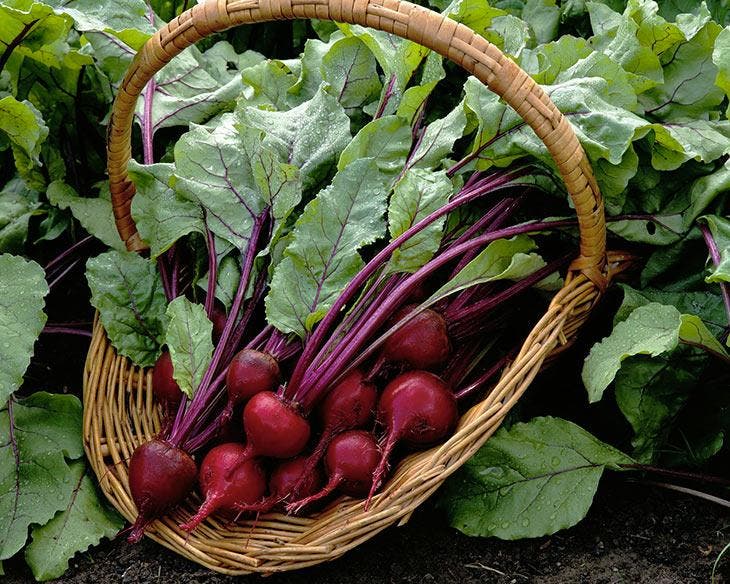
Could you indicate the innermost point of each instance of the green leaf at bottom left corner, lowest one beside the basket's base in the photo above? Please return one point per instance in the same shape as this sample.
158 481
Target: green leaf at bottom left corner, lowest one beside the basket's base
84 521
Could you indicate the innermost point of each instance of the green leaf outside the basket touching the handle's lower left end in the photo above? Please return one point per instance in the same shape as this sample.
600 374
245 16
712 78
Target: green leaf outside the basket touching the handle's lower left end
94 213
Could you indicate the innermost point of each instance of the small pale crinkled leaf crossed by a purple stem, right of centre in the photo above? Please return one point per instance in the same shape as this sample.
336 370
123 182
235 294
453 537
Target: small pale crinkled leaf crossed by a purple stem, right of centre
418 194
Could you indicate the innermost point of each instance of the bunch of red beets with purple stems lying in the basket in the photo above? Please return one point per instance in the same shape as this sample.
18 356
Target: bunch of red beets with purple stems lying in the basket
390 364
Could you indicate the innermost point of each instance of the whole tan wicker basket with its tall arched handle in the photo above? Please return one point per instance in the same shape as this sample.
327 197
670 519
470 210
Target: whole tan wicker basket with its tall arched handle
119 412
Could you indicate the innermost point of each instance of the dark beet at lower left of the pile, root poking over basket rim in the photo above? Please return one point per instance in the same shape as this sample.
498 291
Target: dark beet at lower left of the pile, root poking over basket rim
160 477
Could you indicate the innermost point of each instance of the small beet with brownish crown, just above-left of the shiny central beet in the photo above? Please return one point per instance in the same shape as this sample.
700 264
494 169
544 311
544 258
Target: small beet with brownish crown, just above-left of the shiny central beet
249 373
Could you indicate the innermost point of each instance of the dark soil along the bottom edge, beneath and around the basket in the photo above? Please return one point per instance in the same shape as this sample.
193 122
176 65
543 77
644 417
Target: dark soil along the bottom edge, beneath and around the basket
634 533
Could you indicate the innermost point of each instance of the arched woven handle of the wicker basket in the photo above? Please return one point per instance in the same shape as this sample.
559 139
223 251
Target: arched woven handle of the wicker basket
421 25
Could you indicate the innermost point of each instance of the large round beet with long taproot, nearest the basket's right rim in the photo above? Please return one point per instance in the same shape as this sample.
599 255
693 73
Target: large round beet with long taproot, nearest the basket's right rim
417 408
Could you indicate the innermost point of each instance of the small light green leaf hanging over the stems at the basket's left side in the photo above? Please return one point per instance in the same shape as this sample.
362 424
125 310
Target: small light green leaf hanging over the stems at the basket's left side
189 338
